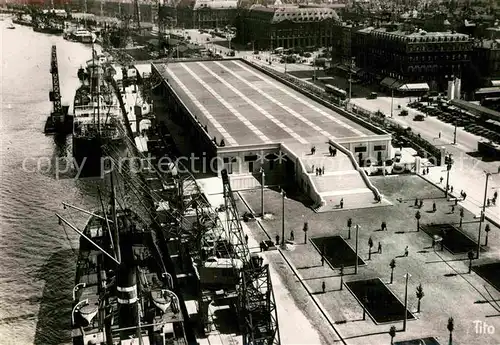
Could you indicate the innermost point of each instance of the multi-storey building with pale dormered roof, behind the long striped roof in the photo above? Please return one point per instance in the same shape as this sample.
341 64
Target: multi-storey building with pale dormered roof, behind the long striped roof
286 26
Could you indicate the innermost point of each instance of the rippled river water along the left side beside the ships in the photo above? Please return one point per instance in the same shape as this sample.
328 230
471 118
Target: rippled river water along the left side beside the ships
37 262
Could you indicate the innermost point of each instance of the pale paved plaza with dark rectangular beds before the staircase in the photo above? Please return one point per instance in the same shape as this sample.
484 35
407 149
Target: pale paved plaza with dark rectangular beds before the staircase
449 289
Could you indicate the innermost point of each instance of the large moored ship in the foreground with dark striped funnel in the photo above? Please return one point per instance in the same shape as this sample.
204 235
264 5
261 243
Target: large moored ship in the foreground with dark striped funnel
123 293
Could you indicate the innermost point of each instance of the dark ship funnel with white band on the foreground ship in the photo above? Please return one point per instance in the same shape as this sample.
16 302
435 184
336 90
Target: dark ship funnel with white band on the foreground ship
127 296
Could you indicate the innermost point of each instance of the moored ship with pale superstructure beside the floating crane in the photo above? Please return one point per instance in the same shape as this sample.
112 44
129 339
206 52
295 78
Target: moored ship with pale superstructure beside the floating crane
97 128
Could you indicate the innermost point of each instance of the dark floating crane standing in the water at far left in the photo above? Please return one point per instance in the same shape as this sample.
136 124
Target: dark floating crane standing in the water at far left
59 122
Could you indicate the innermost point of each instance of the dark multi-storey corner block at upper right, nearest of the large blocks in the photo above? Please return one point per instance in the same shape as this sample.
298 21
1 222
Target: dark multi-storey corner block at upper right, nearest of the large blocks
412 56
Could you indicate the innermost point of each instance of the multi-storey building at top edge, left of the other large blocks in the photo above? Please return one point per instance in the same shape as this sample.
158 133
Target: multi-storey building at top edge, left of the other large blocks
199 14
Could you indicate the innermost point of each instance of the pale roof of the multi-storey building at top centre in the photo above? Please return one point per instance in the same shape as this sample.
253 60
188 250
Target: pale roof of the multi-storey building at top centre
298 14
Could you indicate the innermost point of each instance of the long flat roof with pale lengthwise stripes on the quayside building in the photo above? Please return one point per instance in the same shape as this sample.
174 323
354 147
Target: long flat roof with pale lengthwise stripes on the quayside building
245 106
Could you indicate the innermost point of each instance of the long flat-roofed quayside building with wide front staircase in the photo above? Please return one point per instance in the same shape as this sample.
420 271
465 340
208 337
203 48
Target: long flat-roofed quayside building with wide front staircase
243 120
